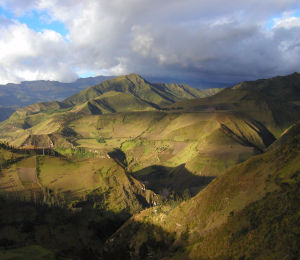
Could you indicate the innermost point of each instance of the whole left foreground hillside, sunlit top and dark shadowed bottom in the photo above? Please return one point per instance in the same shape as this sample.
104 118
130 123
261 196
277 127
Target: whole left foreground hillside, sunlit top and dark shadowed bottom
56 208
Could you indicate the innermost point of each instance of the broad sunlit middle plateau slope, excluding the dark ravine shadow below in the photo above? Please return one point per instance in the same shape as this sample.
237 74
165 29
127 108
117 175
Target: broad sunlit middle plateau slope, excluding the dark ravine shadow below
206 142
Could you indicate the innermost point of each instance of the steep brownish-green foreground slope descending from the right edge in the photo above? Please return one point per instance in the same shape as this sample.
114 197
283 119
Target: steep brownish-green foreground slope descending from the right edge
250 212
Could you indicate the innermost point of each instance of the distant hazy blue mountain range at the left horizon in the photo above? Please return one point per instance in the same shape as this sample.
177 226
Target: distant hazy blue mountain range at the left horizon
14 96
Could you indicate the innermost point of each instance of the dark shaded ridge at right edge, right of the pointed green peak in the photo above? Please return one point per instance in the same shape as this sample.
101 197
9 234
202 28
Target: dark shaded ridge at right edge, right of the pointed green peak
273 102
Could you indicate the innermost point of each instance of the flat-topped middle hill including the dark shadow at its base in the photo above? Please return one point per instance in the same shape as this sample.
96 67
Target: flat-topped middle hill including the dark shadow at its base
168 150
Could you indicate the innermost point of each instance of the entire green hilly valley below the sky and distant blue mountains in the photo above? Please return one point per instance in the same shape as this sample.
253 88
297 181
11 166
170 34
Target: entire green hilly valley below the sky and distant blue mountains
143 170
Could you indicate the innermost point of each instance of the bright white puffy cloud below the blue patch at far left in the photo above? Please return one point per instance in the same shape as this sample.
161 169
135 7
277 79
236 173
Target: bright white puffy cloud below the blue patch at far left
29 55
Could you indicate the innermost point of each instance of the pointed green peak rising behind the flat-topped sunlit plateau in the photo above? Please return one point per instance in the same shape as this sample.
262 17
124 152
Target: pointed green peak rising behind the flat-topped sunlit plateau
132 93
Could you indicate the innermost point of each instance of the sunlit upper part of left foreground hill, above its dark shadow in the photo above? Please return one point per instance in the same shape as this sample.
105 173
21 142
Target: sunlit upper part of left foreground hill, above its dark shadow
56 180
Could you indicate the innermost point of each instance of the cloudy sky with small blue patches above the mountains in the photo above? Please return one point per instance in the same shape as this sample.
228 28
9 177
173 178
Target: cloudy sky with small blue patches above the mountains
199 42
